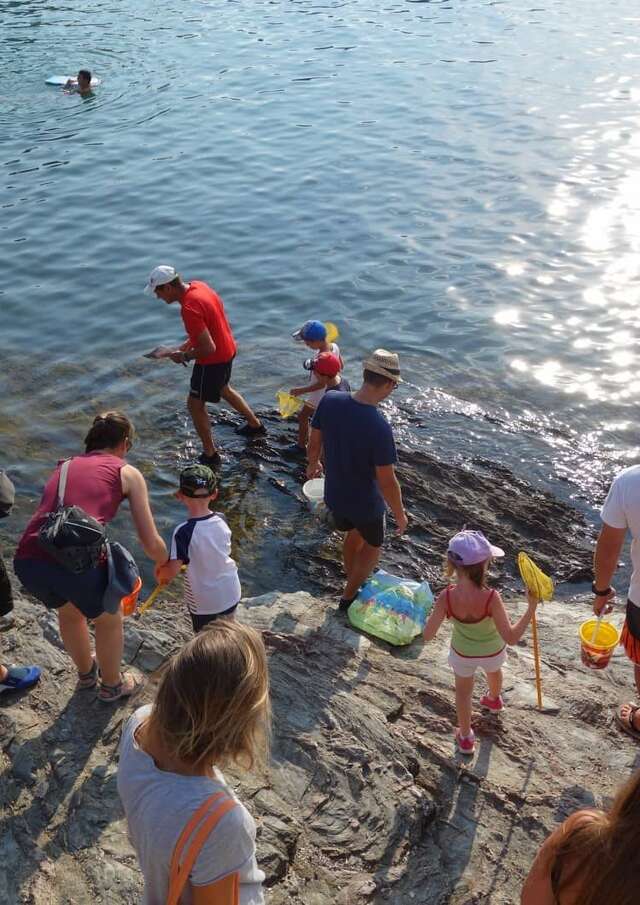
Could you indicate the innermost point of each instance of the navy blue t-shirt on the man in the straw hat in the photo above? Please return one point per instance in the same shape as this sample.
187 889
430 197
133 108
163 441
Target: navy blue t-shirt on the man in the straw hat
356 438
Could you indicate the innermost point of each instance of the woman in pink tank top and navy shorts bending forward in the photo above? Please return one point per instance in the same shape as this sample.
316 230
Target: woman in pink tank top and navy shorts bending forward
97 481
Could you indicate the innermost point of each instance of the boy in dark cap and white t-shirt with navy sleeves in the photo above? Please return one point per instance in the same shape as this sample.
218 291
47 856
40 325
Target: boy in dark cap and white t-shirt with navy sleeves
203 544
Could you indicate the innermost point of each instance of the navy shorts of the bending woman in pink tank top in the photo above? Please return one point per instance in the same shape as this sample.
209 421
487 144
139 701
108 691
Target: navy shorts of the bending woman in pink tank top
55 586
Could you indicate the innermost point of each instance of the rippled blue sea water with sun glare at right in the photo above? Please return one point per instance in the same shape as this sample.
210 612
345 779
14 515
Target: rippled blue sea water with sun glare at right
456 181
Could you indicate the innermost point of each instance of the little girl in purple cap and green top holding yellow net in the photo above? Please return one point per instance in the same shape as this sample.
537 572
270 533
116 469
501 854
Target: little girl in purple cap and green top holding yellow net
481 627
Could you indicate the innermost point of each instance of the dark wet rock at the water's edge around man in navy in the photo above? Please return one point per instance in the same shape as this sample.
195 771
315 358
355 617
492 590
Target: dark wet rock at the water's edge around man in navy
441 498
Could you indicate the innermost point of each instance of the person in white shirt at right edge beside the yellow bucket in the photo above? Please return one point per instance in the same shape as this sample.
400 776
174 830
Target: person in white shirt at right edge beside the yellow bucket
621 513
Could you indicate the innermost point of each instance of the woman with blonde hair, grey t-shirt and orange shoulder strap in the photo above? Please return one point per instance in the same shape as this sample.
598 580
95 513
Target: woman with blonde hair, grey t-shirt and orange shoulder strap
212 708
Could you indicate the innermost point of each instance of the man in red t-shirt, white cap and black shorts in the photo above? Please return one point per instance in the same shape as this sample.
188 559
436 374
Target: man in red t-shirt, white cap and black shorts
211 343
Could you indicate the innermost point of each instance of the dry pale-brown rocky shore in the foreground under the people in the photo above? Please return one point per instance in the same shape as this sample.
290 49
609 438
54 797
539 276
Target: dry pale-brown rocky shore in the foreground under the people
364 801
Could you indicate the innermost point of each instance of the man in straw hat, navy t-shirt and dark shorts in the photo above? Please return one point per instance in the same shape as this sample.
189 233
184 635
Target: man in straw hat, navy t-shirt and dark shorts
359 456
